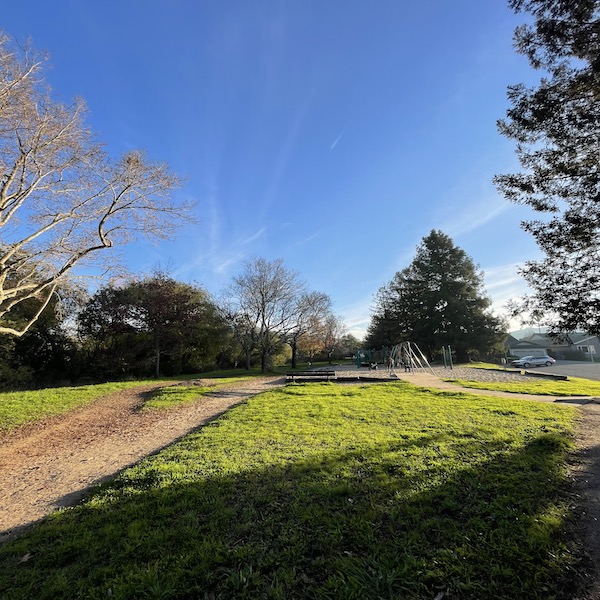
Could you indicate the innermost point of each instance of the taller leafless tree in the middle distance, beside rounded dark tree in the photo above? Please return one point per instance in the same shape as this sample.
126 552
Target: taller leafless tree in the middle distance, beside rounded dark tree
267 294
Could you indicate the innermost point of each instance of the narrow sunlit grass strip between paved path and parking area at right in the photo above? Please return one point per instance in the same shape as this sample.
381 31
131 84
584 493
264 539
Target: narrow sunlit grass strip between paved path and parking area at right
574 386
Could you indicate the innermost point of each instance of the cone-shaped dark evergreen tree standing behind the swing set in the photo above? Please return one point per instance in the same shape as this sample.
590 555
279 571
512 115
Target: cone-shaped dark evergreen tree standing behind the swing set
438 300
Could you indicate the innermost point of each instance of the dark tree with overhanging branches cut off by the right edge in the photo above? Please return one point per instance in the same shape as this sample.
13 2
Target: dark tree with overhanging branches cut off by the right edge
556 128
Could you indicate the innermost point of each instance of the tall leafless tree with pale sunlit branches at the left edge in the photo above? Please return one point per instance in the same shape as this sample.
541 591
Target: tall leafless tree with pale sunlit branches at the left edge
63 199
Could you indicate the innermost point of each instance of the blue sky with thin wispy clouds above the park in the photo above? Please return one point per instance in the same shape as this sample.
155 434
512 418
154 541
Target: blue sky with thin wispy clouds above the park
332 134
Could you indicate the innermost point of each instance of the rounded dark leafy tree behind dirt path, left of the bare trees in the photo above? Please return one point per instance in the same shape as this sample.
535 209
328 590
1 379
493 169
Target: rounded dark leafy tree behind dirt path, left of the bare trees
150 324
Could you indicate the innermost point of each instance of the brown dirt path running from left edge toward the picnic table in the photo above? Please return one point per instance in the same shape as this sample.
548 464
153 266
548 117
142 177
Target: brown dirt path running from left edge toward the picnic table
52 463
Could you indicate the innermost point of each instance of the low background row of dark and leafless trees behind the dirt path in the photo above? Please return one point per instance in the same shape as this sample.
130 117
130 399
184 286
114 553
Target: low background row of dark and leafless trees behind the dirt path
157 325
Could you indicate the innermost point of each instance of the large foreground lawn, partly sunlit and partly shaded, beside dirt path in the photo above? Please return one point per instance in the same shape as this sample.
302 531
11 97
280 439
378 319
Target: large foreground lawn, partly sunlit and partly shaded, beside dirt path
322 491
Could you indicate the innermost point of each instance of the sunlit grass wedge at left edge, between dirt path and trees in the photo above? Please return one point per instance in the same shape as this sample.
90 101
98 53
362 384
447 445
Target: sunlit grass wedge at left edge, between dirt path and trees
18 408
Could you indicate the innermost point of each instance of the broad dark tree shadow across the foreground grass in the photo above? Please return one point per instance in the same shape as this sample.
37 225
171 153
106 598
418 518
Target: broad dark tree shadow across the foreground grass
354 524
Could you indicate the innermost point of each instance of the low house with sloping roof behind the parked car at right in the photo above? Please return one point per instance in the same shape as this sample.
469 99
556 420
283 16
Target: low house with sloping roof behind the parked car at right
574 346
